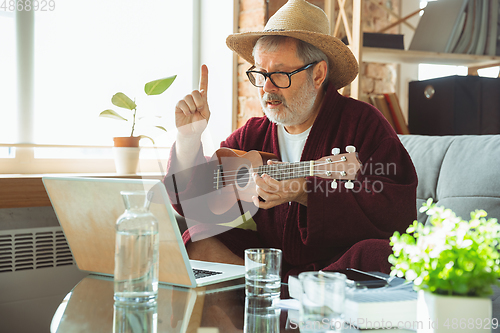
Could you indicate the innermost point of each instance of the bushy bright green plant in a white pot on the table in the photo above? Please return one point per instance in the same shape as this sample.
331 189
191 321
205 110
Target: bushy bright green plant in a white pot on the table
453 264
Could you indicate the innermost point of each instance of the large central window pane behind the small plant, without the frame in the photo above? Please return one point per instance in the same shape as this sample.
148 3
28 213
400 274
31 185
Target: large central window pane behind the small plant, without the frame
107 47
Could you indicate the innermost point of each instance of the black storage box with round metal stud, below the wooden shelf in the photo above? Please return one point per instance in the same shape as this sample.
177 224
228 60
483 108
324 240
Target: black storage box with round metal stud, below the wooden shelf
454 105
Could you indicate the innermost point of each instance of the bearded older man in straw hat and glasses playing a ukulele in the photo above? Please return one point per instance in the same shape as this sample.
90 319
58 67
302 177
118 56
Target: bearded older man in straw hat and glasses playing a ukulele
297 69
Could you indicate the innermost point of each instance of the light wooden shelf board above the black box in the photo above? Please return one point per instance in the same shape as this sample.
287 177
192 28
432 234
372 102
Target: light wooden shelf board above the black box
383 55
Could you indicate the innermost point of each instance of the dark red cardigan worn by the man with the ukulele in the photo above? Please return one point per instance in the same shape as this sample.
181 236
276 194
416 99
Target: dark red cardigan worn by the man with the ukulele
317 236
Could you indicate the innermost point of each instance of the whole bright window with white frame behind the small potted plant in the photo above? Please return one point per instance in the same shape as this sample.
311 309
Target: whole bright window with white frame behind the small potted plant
83 52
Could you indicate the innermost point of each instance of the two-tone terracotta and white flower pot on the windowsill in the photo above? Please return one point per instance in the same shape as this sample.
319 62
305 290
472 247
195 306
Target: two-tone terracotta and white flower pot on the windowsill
126 152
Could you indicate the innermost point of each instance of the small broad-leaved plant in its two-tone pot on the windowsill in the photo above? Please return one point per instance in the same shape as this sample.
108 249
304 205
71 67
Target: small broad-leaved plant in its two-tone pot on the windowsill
127 149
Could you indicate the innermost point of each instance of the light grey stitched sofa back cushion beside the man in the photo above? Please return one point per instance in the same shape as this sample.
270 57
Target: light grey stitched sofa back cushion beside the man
459 172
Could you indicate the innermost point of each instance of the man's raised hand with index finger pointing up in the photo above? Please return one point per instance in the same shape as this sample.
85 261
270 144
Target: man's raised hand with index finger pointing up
192 112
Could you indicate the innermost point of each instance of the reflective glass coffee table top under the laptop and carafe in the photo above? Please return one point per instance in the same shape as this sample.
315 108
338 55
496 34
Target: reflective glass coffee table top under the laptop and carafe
90 307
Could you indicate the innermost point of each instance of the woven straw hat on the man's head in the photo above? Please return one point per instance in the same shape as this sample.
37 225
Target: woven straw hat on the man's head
302 20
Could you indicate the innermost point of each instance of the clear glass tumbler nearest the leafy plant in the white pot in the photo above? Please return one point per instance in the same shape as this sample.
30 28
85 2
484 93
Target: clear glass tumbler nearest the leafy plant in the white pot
322 301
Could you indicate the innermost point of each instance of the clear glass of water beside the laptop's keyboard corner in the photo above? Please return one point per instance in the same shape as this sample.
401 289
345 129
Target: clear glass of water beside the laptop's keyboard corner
263 272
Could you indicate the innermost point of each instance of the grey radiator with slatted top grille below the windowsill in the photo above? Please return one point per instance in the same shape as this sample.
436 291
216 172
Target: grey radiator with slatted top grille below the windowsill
37 270
